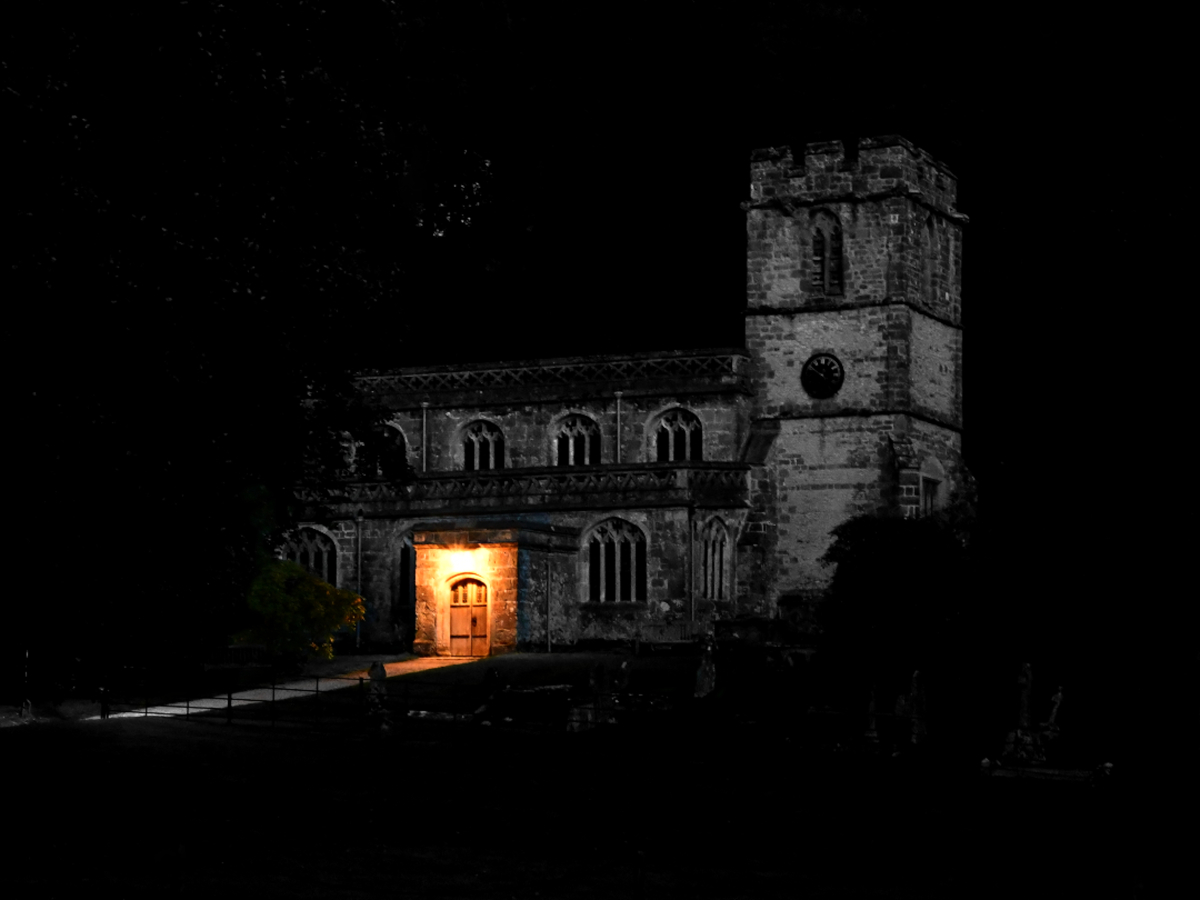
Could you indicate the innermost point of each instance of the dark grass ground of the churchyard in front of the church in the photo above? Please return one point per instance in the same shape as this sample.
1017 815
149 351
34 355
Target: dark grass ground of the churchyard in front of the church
704 808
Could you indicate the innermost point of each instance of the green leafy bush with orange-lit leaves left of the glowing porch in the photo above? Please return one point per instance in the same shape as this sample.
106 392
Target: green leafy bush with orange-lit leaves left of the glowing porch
296 614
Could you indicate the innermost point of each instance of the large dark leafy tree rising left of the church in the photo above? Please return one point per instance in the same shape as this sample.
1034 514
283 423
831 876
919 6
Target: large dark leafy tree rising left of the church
221 215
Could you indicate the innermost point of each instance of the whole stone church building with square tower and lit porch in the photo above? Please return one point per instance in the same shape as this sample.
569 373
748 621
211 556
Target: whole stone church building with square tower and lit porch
645 496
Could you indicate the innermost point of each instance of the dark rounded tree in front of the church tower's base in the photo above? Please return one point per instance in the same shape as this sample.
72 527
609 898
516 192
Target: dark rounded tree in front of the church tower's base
909 596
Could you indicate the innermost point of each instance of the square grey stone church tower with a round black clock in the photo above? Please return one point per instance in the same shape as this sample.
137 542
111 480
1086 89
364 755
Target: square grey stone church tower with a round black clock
854 331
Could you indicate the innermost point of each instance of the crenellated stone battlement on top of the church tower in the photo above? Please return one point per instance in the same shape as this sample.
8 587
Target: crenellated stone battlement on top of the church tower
883 166
